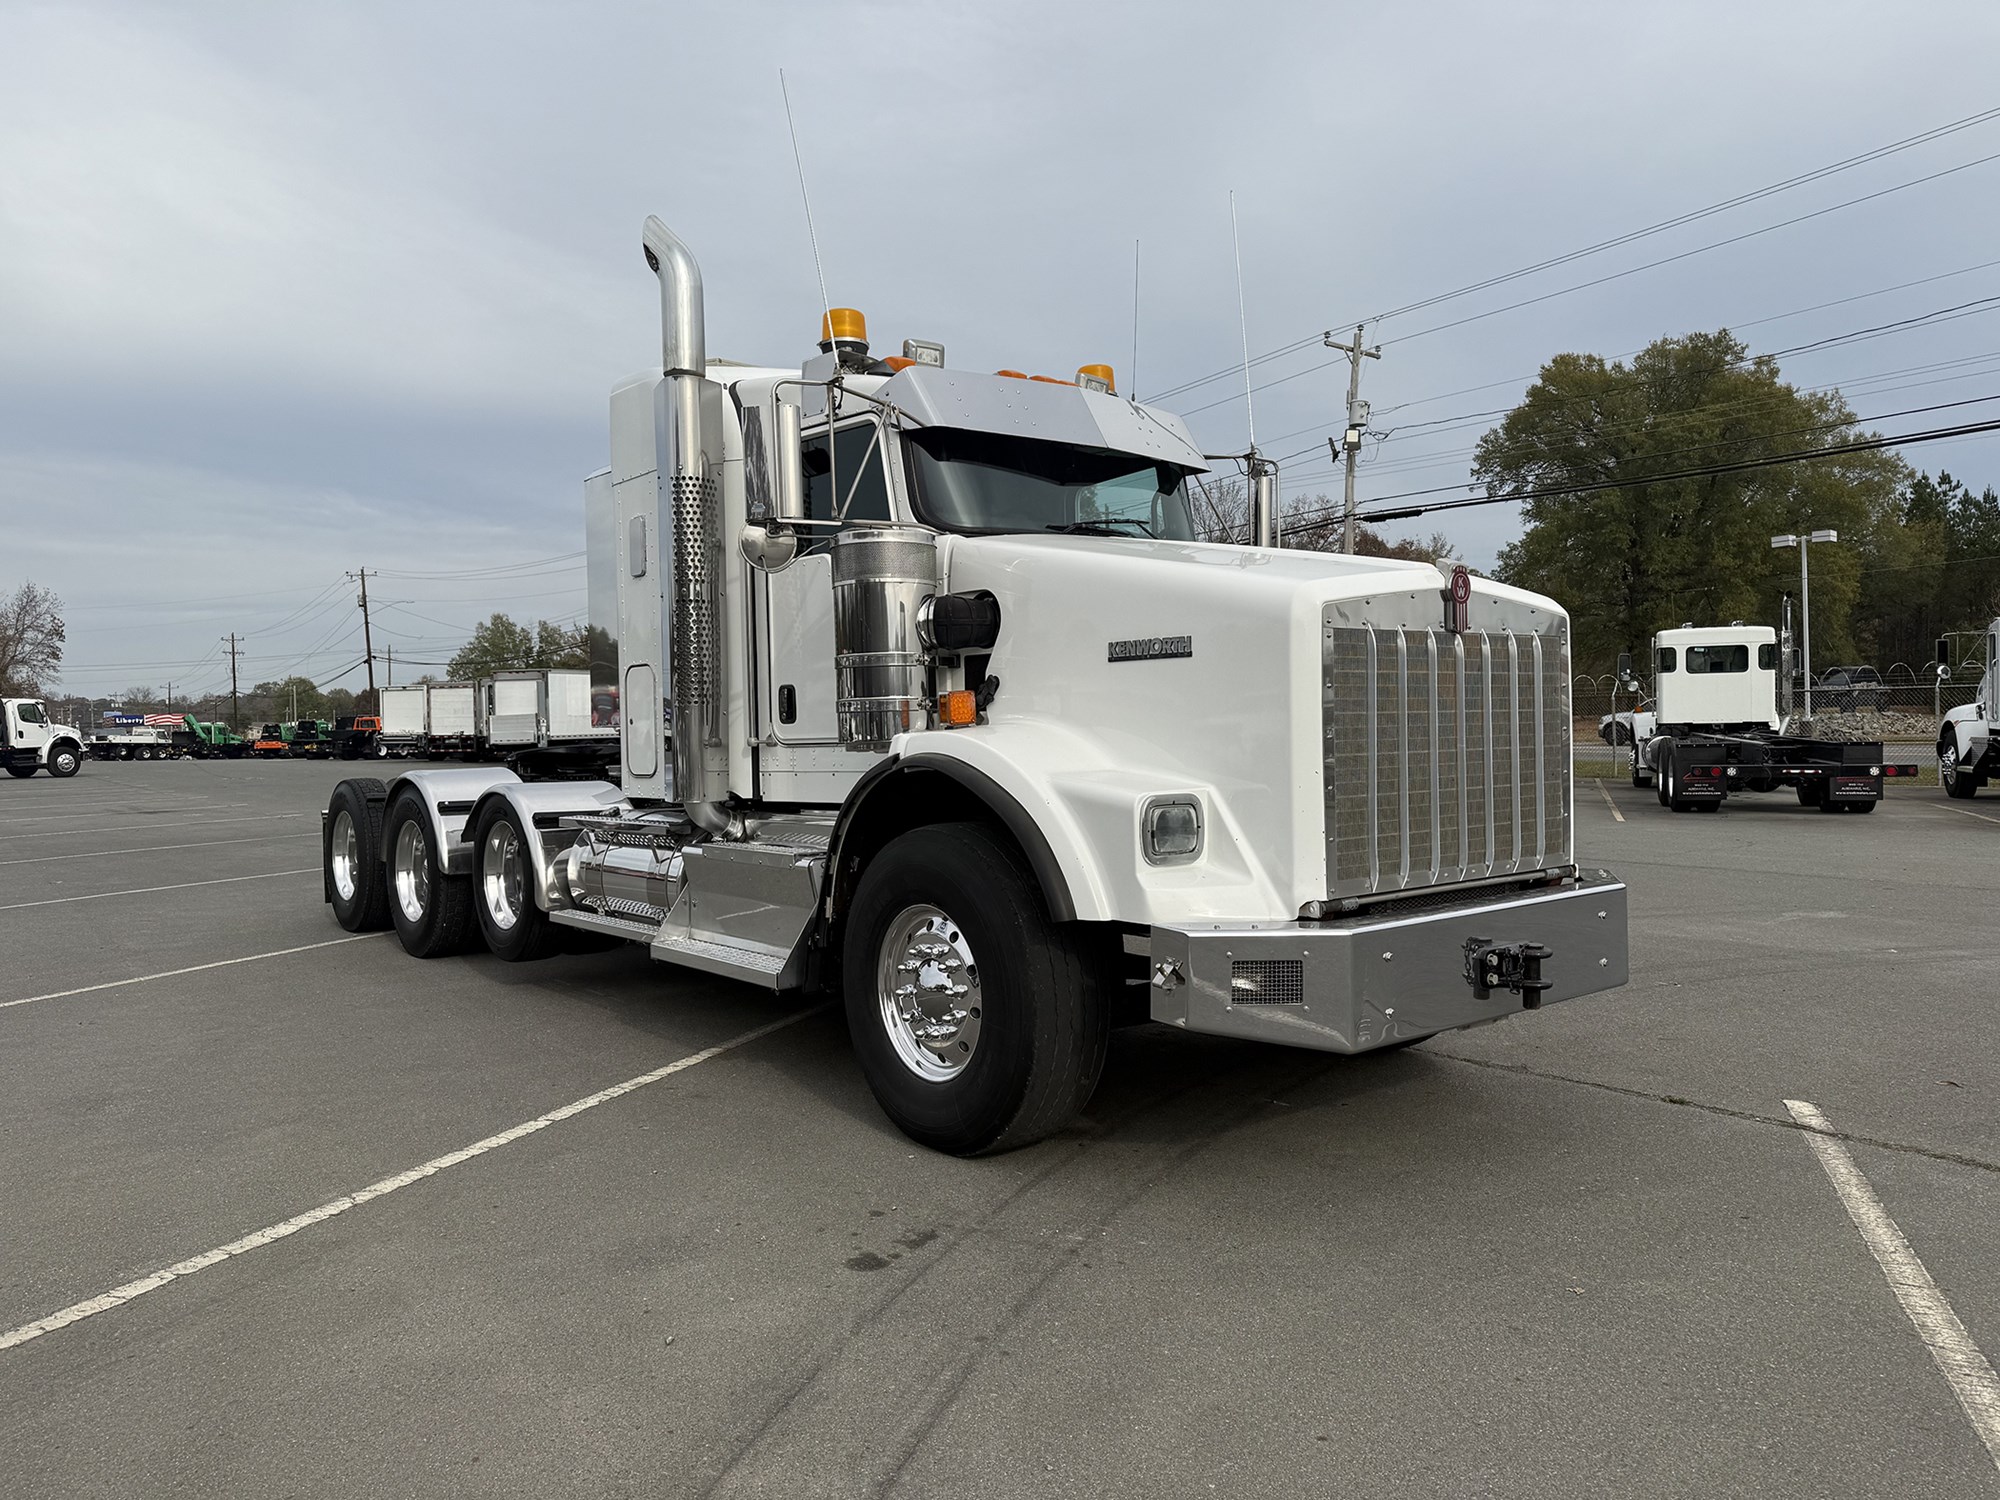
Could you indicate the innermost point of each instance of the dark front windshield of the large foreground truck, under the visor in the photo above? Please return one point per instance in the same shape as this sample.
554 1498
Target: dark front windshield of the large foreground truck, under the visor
989 483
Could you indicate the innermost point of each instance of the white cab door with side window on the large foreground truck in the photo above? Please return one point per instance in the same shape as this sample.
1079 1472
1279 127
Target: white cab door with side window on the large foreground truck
849 481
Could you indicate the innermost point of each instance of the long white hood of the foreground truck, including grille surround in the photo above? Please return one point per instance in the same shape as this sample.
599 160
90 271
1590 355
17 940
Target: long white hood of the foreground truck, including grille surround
1137 669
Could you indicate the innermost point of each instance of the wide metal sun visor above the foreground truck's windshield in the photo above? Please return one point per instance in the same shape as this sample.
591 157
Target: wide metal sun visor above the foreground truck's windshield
1041 409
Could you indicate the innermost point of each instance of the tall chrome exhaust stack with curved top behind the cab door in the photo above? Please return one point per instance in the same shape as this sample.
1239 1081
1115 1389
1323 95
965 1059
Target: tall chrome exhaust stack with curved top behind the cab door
691 487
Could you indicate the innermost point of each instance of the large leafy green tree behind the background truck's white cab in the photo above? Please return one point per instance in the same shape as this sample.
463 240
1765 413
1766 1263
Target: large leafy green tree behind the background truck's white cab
1647 553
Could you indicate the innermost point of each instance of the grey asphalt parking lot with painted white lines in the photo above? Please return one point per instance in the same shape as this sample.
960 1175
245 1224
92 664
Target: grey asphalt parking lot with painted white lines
1575 1255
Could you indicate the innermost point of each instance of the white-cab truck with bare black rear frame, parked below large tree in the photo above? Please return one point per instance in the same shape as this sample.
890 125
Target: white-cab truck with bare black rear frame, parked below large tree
1717 729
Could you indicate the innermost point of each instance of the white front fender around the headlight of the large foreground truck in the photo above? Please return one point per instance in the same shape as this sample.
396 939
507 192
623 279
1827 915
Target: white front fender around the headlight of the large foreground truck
1089 809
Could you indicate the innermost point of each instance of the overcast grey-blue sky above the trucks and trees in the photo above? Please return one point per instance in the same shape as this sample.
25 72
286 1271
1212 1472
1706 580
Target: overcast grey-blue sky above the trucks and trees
289 291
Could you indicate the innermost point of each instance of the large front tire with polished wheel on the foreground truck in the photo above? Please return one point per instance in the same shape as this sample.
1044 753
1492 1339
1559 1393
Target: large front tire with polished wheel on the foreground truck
973 1015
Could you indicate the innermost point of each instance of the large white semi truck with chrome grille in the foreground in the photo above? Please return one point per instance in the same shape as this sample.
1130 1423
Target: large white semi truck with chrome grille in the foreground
969 729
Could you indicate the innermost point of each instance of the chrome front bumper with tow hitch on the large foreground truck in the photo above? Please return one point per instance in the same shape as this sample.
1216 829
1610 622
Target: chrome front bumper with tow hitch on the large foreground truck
1359 983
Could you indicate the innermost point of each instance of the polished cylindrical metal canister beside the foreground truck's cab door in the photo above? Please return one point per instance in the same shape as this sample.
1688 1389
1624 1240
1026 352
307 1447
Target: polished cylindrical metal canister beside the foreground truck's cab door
881 577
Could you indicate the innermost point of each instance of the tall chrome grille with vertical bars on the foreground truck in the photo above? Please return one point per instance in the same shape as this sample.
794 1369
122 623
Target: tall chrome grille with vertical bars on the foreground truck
1447 757
